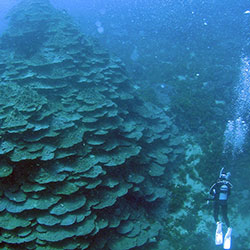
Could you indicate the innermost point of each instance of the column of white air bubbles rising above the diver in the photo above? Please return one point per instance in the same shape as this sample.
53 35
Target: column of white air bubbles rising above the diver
236 130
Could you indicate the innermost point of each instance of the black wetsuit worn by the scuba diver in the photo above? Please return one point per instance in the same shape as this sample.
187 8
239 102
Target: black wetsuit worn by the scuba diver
220 191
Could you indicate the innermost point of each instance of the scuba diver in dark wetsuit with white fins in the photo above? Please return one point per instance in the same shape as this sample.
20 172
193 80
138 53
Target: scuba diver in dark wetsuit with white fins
220 192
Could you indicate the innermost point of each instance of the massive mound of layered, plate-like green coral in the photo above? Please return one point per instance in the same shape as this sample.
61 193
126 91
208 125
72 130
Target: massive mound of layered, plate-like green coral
76 143
